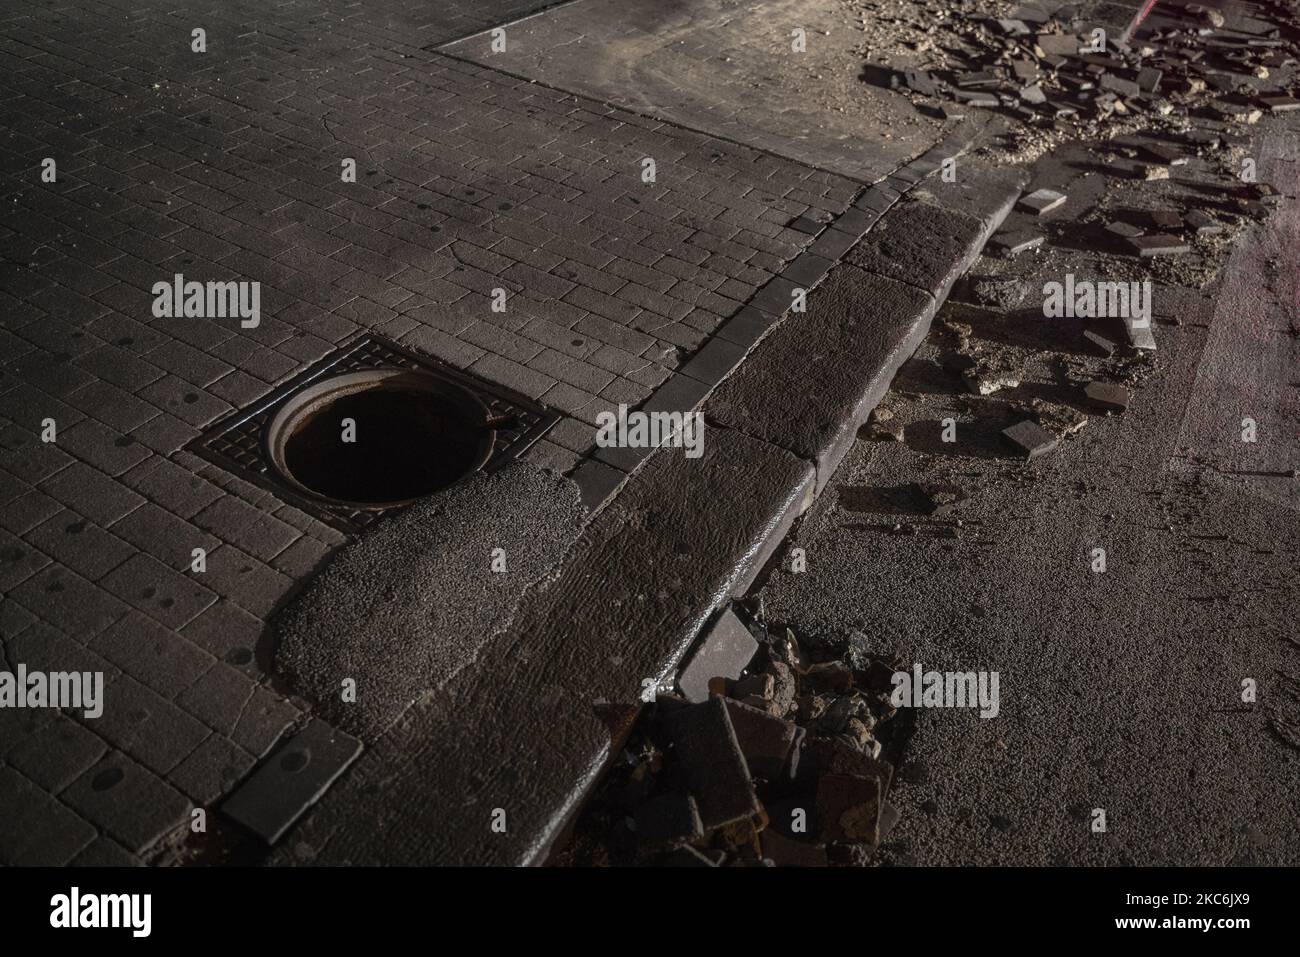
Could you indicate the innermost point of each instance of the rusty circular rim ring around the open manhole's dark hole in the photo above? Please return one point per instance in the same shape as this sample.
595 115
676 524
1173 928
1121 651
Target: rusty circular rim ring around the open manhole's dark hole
323 393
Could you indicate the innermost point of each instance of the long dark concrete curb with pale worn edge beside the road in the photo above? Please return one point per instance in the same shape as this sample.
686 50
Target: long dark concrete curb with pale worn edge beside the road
653 566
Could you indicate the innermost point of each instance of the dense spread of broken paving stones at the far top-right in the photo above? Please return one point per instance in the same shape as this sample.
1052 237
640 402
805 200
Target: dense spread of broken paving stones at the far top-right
1059 72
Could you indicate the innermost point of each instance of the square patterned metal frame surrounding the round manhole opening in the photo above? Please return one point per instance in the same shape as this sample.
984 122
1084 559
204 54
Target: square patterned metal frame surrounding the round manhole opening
237 443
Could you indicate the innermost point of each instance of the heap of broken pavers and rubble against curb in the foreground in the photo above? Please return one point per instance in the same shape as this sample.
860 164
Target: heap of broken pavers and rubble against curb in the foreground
781 768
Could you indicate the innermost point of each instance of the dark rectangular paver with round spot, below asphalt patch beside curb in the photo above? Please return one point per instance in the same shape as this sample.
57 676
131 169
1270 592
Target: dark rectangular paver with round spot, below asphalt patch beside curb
292 780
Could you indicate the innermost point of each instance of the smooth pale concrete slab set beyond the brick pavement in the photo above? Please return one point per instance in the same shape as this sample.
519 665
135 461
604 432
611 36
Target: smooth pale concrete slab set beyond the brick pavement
727 70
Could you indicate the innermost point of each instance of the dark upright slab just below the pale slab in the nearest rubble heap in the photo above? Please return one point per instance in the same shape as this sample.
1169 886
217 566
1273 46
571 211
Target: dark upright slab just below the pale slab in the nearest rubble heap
714 765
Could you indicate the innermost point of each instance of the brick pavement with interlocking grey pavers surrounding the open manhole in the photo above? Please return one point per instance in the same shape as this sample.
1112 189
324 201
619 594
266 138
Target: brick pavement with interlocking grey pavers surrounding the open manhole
226 166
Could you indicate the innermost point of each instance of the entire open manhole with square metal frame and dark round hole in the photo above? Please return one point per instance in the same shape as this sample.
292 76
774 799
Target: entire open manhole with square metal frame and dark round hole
371 430
